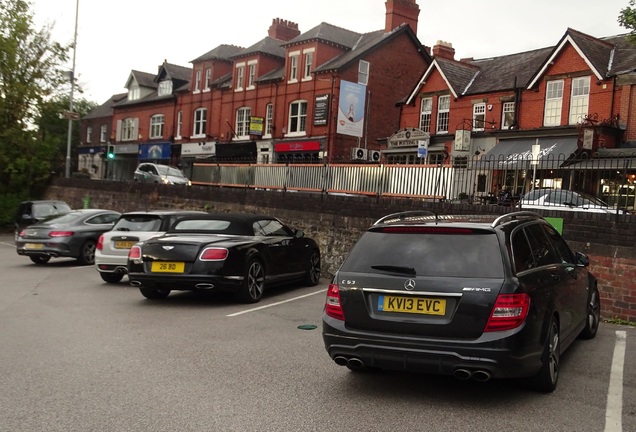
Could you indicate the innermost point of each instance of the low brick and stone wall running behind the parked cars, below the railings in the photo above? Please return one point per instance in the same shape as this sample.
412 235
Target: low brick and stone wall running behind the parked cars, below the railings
336 222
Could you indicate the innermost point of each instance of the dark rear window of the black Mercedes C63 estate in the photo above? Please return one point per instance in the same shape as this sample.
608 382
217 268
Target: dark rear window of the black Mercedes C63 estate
446 255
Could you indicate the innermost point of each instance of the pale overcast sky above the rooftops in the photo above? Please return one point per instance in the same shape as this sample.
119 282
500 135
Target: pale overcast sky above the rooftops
118 36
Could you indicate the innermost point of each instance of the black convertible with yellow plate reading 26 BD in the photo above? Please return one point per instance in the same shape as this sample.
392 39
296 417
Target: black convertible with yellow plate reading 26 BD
241 253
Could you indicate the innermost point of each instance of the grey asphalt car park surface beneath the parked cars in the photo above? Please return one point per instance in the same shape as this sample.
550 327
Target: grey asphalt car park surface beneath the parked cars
77 354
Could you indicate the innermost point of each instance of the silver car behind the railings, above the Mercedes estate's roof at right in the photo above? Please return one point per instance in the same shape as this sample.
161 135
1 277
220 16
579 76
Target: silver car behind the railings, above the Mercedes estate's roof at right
561 199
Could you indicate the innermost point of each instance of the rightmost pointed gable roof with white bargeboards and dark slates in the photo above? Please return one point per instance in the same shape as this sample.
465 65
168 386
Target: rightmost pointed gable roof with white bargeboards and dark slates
597 53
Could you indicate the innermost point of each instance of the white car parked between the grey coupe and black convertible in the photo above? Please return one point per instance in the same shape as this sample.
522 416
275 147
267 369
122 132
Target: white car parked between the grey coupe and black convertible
111 254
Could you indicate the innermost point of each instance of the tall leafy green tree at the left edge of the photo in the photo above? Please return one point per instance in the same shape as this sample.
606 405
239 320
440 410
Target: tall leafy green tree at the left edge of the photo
30 73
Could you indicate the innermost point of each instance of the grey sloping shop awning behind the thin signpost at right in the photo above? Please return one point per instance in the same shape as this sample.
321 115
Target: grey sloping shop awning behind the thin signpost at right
517 154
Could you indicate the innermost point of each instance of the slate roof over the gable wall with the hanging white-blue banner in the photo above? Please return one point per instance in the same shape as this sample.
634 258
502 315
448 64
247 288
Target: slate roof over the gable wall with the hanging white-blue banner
368 42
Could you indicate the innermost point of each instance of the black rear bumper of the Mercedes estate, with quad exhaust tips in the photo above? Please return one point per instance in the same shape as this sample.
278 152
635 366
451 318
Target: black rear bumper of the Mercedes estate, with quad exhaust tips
500 357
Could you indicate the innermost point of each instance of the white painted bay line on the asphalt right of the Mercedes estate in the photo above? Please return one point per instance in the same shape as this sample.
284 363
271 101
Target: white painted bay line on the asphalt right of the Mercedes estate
614 409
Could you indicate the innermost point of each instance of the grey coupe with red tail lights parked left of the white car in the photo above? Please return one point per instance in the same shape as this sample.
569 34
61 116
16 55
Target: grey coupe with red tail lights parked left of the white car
73 234
